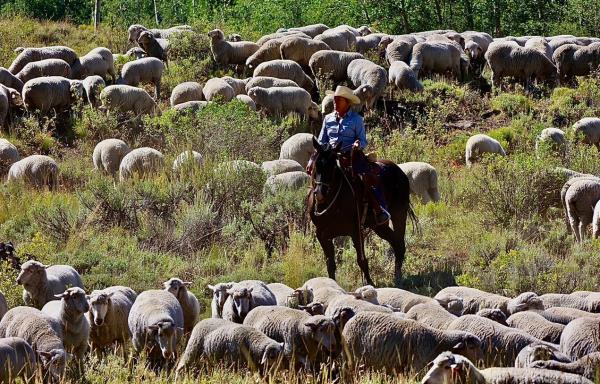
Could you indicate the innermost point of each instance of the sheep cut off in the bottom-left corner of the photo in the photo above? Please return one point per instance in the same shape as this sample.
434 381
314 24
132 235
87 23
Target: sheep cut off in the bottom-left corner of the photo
17 359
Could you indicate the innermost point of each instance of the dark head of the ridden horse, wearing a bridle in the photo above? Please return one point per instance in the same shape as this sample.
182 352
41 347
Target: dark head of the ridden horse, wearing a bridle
325 164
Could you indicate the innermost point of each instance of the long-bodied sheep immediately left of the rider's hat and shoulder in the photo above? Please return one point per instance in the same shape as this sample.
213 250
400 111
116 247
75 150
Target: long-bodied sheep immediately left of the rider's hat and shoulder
280 101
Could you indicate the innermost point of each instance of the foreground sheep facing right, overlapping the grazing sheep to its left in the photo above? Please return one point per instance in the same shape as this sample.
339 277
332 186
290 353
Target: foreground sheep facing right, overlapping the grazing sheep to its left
304 337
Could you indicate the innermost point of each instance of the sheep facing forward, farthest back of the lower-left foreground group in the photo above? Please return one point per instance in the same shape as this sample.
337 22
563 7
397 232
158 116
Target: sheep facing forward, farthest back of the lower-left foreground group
41 283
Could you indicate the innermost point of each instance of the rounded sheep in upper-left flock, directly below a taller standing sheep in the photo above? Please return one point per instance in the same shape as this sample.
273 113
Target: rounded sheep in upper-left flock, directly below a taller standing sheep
125 98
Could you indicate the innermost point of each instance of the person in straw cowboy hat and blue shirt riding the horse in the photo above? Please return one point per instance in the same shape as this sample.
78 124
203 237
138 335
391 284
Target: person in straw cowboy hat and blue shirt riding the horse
346 128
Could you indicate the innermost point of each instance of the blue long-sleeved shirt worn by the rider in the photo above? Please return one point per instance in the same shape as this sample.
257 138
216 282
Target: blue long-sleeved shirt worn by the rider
347 130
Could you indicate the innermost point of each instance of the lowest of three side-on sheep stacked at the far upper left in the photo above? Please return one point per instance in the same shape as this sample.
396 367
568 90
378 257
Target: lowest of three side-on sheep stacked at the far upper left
46 93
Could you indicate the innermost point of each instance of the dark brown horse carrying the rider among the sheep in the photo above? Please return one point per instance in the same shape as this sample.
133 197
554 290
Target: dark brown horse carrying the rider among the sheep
336 204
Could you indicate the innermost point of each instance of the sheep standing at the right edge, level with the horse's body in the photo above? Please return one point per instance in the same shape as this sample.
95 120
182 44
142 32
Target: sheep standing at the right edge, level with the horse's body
580 199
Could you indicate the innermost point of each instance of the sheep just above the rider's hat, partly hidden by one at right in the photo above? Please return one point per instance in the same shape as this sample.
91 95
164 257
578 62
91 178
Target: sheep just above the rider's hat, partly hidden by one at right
331 66
